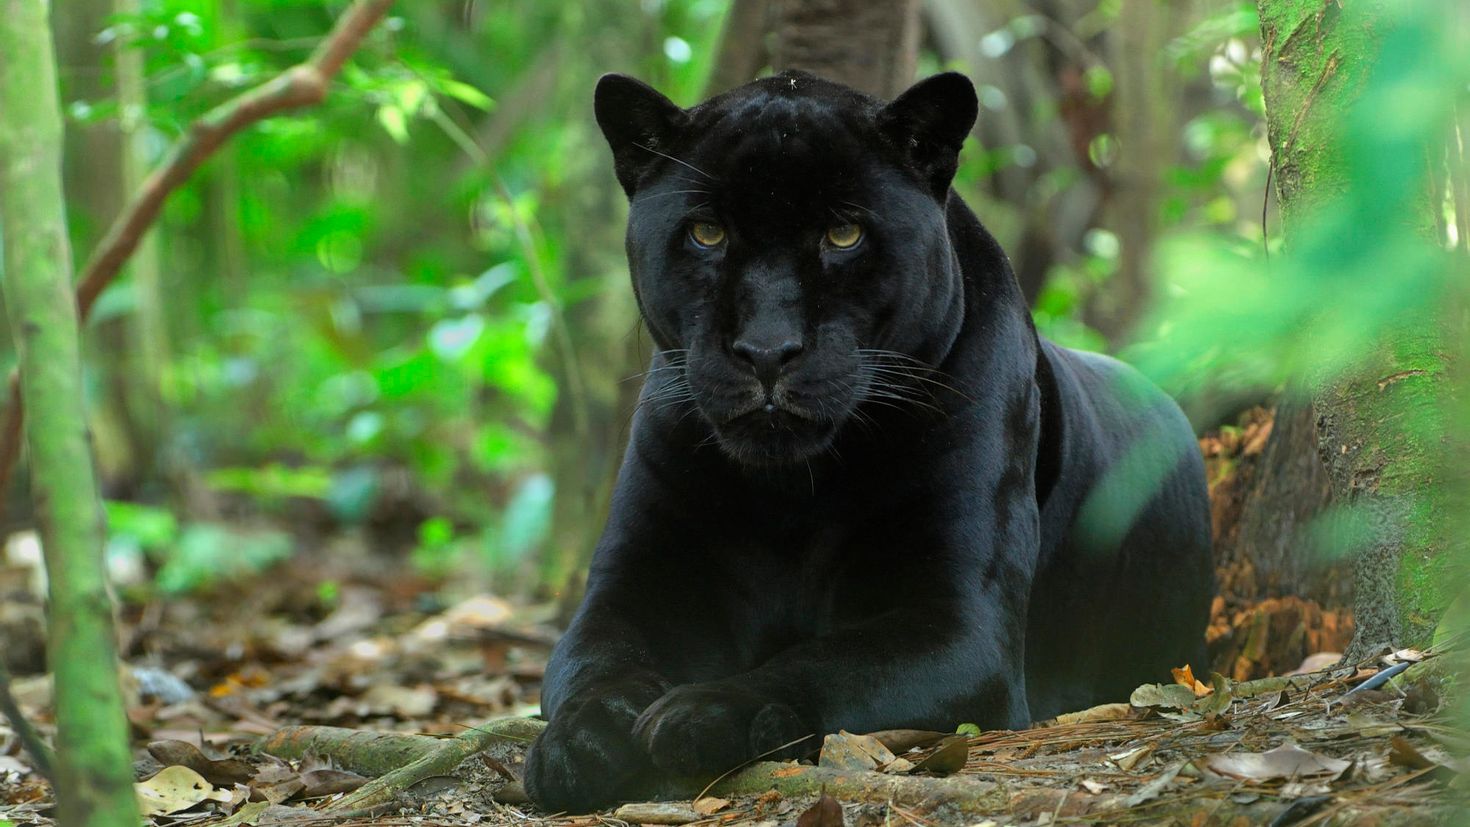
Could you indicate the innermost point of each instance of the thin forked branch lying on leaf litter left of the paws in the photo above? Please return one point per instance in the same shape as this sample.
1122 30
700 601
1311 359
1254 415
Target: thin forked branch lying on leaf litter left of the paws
430 756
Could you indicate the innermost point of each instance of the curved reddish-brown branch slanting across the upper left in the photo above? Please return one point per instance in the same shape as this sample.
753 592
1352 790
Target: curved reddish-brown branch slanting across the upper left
299 87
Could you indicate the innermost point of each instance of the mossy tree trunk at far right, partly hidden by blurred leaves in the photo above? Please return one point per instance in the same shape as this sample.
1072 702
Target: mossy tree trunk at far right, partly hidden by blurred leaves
1381 424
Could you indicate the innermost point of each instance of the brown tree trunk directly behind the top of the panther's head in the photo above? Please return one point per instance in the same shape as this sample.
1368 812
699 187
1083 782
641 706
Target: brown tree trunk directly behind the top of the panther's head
868 46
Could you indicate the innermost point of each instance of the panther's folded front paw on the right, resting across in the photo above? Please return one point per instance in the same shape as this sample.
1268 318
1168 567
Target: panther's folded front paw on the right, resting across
708 729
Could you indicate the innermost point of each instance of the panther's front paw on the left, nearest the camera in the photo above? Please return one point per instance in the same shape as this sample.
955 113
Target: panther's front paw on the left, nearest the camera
587 757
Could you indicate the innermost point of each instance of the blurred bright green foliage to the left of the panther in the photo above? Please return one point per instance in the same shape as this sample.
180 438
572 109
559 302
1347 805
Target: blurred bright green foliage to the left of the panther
365 292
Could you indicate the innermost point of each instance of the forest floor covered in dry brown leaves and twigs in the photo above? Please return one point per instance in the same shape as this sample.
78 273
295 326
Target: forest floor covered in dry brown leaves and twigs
212 676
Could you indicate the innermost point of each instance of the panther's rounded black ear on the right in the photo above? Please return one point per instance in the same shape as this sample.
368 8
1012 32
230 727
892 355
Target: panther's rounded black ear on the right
930 123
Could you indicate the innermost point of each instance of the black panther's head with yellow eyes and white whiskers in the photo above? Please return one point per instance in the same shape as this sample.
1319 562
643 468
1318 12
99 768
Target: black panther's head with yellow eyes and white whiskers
789 250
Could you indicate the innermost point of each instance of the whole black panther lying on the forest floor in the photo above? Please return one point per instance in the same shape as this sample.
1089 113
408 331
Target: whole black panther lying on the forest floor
861 491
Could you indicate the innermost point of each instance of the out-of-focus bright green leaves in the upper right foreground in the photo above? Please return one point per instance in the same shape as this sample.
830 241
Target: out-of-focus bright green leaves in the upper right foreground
1355 270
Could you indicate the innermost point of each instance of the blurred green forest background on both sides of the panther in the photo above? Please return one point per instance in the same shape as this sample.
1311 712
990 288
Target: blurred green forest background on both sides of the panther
404 318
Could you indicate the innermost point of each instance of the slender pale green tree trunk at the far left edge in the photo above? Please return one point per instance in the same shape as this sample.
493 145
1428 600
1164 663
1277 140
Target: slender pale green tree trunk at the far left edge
93 773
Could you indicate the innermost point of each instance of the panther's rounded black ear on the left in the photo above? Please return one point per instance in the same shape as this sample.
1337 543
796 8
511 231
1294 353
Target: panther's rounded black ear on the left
639 124
